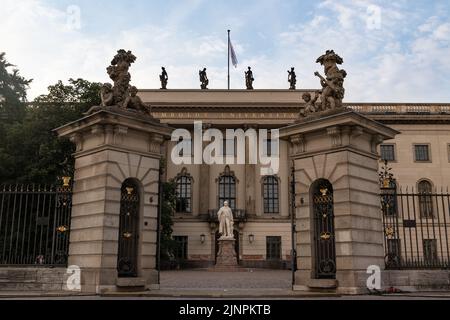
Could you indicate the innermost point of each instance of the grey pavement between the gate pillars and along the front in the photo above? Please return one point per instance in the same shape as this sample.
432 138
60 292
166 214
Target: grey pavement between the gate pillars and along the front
203 284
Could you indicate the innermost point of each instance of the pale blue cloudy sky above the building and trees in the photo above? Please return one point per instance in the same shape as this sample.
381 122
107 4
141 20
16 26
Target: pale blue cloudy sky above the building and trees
393 51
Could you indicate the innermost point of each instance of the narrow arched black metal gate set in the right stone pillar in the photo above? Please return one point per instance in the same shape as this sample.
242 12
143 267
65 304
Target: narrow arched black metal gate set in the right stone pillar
324 237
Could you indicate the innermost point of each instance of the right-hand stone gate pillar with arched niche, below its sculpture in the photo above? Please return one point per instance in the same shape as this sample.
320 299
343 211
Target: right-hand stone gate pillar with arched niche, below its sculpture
338 217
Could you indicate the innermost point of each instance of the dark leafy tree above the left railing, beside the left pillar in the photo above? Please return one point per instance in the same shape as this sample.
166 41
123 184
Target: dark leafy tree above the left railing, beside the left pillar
31 150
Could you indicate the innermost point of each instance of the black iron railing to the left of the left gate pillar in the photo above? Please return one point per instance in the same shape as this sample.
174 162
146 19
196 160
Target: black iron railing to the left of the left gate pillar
34 224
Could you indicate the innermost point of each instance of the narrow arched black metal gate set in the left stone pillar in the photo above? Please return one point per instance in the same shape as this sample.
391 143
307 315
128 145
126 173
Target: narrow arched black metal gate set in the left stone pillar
128 229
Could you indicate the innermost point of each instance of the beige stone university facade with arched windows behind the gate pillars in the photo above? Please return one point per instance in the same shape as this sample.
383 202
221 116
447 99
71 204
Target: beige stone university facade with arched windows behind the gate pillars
419 157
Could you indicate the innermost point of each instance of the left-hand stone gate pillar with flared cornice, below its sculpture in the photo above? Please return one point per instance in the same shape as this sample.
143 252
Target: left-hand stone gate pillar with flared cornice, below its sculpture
113 146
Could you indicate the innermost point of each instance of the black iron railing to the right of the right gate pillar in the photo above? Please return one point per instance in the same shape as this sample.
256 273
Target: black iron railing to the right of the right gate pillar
416 227
